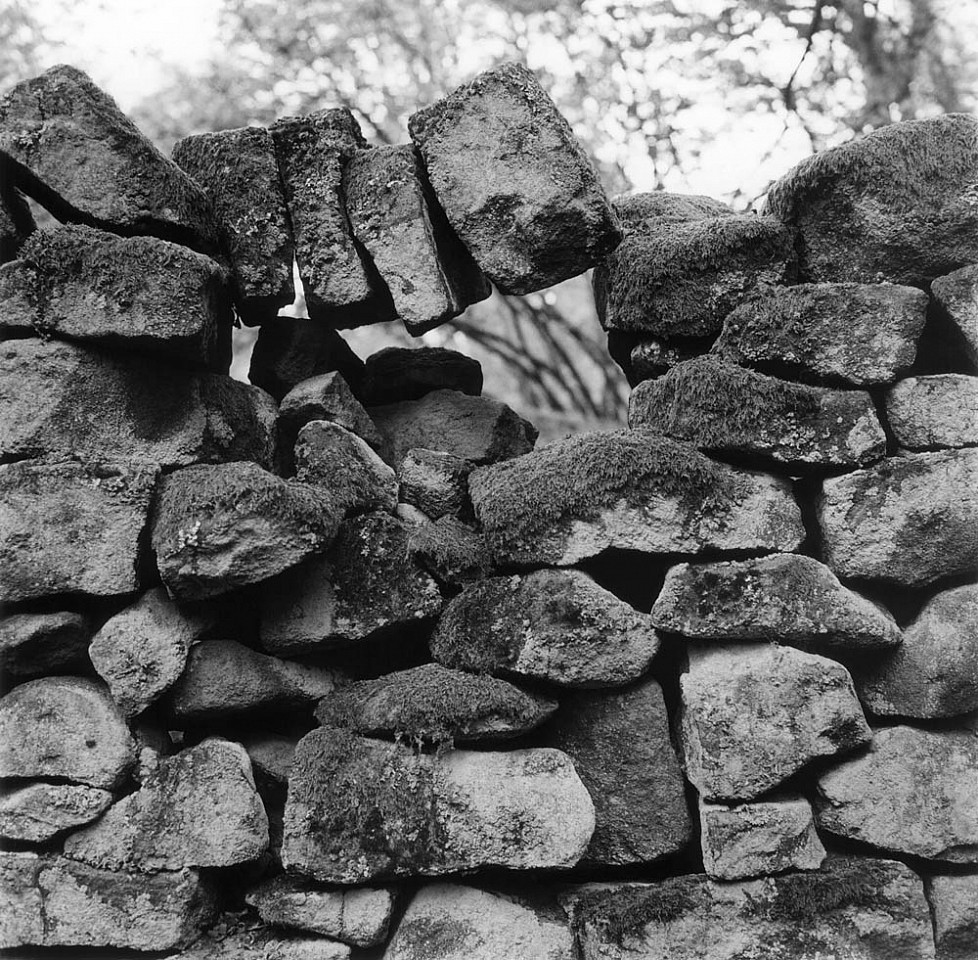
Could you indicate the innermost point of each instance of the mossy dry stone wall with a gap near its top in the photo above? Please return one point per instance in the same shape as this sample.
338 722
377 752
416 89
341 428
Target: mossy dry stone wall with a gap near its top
342 664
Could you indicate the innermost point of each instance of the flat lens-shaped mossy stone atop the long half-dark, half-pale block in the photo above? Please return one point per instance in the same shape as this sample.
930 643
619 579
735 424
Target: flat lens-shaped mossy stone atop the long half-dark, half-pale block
433 704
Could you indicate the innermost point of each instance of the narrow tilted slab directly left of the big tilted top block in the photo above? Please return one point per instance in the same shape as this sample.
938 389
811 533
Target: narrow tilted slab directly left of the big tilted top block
394 214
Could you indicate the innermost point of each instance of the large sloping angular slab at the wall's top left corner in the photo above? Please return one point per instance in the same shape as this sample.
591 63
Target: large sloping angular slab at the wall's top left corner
72 149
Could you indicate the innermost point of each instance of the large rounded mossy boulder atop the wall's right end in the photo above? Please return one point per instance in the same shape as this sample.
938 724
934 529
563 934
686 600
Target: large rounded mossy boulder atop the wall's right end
896 205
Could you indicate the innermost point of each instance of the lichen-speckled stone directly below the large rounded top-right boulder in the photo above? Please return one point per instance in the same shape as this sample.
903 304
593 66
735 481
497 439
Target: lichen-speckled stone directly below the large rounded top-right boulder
851 333
